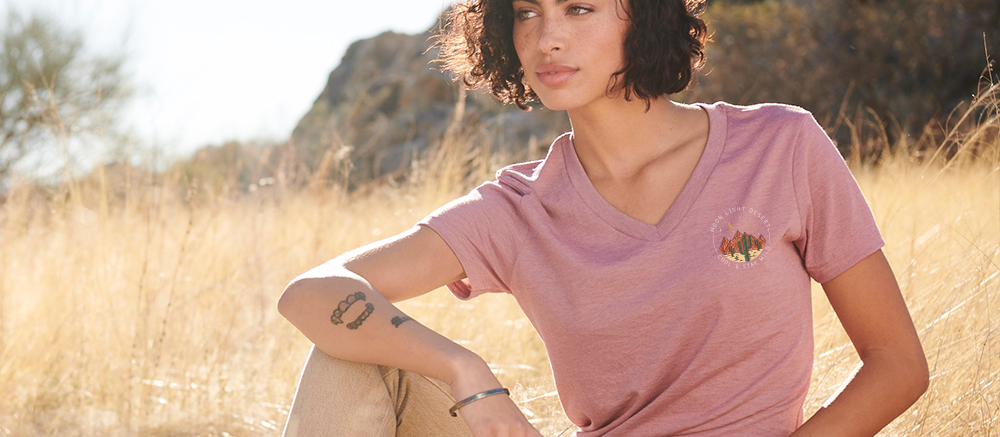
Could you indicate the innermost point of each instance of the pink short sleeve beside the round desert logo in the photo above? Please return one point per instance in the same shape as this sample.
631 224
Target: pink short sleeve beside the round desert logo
838 227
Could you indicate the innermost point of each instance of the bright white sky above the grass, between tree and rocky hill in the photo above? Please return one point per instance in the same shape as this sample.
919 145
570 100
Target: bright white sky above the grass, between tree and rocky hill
209 71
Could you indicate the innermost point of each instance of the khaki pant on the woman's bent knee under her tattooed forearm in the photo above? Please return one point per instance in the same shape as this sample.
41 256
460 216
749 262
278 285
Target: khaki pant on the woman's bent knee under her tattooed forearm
337 398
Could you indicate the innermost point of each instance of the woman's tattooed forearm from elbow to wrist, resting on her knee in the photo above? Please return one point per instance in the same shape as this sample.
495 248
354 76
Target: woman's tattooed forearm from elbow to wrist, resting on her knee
346 318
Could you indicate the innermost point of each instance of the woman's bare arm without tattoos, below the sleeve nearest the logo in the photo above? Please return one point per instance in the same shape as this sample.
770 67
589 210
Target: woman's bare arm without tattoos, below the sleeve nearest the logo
894 372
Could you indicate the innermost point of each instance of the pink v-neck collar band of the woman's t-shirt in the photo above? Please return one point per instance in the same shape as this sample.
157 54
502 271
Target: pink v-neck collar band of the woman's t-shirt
692 189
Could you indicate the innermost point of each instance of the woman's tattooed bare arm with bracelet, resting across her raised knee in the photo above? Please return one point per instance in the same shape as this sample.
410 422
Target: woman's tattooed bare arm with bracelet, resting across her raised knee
344 307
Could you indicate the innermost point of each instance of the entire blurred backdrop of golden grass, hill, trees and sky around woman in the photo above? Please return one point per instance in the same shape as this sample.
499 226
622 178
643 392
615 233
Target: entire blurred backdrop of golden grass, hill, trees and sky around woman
167 167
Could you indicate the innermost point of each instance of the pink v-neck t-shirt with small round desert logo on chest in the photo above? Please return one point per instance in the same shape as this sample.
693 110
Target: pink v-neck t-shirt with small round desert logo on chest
700 325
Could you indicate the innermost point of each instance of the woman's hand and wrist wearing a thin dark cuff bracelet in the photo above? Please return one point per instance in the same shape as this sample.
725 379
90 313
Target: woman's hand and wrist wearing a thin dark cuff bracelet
492 416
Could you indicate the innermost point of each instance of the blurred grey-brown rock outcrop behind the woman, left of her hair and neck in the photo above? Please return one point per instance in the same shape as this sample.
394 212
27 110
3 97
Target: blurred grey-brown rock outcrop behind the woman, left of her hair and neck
387 102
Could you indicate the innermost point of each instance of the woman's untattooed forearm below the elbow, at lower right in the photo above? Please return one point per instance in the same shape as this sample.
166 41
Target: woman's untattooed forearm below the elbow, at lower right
882 389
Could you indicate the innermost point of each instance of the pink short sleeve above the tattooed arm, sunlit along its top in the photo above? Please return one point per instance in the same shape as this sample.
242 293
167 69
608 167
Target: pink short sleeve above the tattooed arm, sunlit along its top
484 229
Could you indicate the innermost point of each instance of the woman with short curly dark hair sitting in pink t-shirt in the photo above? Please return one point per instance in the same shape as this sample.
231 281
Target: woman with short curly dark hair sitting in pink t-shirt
662 251
